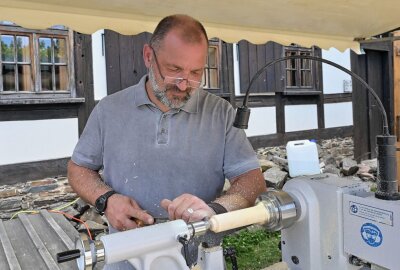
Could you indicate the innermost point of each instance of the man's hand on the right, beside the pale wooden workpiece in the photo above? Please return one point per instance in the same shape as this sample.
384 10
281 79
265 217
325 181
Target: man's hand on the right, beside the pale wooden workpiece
187 207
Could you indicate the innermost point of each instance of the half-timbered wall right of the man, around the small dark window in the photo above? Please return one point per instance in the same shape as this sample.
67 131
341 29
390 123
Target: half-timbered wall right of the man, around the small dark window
282 115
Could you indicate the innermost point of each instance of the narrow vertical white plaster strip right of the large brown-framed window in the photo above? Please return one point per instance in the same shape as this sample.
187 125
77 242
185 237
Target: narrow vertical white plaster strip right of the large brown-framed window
99 66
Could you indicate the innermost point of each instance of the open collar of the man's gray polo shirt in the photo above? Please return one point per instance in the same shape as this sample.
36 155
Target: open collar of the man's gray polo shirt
141 97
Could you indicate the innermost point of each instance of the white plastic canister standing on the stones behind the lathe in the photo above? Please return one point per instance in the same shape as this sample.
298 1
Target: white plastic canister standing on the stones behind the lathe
302 158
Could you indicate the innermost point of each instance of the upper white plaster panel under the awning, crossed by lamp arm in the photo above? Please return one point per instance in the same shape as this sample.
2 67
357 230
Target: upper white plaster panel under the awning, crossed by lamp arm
333 78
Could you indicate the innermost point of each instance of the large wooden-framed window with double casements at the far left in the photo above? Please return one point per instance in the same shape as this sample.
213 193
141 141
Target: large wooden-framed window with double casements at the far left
35 64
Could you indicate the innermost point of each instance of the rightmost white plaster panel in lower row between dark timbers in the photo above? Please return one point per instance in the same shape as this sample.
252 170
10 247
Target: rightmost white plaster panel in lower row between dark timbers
338 114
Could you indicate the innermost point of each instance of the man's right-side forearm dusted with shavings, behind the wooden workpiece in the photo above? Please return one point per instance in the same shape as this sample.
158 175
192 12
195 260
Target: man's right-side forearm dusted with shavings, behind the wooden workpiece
244 191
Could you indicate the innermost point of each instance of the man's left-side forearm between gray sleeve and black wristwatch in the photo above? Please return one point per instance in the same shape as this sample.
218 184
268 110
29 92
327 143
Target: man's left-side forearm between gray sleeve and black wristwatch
86 182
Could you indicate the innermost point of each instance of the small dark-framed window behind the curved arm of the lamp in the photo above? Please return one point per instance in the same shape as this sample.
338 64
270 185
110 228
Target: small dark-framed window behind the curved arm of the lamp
299 72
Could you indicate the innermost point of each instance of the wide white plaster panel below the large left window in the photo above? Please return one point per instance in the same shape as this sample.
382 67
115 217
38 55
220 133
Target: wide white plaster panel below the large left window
27 141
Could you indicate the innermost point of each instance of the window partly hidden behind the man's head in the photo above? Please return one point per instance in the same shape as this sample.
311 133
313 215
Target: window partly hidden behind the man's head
211 78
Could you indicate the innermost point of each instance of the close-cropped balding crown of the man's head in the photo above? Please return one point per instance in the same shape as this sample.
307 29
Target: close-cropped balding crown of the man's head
187 28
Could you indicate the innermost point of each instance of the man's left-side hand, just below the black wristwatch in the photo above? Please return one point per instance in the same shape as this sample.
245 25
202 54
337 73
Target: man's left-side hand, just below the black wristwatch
124 213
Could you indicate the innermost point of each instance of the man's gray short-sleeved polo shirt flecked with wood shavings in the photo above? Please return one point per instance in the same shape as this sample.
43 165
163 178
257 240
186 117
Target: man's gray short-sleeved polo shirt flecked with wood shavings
150 155
